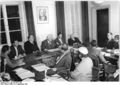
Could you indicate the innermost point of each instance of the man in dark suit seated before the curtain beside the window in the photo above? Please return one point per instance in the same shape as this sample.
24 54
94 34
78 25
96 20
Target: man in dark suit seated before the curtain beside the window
31 46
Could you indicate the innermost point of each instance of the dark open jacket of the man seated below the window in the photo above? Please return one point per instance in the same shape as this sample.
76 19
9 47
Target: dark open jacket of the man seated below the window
13 51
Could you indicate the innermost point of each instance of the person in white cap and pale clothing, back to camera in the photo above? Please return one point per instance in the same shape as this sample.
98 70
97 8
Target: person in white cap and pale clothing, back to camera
83 71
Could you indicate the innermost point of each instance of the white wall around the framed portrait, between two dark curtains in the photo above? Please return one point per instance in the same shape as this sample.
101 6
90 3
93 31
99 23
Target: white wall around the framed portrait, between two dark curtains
42 30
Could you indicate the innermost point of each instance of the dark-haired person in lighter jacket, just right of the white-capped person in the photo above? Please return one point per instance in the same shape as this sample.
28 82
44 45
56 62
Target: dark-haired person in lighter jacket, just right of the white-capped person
96 52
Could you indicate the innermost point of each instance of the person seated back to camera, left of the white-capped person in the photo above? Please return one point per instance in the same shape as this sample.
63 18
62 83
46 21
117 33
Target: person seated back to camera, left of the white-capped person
63 63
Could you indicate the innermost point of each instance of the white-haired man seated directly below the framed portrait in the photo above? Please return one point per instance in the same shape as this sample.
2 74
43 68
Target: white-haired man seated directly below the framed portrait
48 44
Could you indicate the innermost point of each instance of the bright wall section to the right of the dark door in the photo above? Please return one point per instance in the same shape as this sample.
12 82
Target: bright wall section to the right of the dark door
114 16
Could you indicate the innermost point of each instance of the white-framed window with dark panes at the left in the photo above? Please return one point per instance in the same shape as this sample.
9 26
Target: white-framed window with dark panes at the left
11 25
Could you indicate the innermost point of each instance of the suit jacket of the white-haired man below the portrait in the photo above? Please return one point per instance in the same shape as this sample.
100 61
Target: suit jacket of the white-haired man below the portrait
46 45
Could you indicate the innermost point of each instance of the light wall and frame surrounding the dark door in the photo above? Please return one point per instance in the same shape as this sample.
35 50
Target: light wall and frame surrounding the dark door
114 17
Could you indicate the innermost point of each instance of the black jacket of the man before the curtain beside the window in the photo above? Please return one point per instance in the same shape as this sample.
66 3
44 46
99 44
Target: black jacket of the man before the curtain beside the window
29 47
